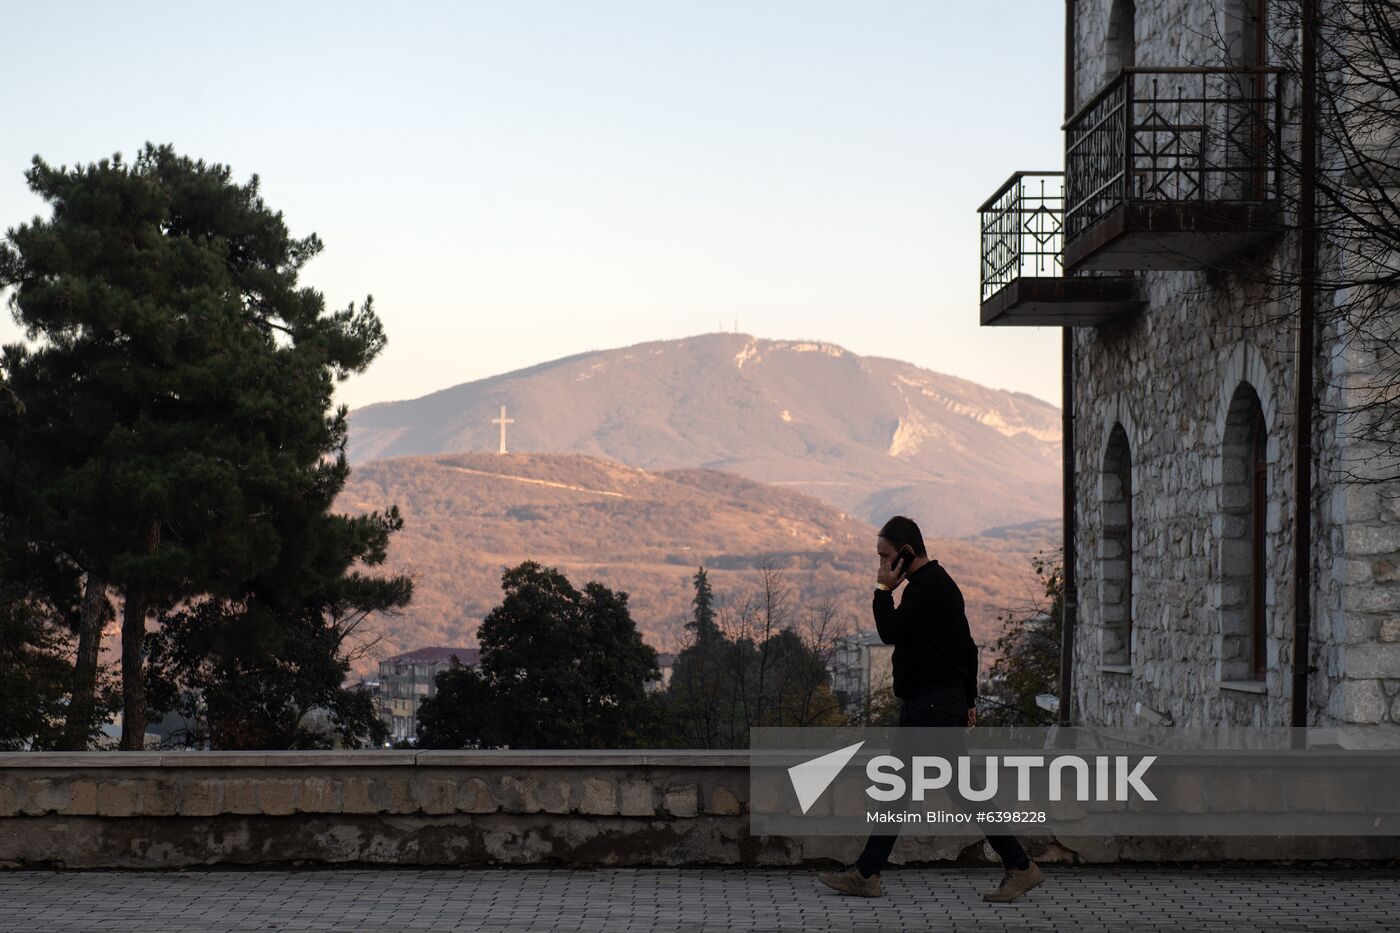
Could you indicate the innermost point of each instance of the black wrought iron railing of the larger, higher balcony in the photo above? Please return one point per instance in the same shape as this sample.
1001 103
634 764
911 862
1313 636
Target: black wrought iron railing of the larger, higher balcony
1174 135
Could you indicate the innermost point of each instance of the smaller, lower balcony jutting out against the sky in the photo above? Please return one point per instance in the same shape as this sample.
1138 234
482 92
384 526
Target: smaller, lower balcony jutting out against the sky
1023 279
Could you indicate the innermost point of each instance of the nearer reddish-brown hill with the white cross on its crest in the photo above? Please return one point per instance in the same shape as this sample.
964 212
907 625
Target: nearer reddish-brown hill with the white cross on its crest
470 516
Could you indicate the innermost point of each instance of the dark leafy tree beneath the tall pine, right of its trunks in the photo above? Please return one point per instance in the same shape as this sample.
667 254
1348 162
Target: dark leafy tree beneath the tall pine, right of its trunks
248 673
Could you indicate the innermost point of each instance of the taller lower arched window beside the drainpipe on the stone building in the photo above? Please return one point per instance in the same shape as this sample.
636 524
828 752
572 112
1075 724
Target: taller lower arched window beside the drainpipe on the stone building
1244 551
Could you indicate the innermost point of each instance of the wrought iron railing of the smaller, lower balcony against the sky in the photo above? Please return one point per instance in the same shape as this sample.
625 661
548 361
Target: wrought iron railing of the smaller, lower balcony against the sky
1021 230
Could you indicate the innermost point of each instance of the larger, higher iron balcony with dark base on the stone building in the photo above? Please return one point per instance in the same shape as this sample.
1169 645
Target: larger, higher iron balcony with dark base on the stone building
1172 169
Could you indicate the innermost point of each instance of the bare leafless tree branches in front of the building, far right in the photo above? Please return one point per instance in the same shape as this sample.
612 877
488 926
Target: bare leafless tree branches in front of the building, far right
1356 183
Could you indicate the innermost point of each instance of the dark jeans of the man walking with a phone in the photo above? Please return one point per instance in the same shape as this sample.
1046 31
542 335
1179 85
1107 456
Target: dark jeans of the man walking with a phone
939 708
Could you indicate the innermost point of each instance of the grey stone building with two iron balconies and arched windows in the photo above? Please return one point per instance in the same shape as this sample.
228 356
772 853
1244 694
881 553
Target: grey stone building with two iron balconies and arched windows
1160 249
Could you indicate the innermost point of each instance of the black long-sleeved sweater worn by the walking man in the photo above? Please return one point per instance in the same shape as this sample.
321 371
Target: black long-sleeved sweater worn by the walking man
929 630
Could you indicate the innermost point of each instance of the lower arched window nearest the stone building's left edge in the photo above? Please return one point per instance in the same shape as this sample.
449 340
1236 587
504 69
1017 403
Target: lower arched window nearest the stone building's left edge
1116 550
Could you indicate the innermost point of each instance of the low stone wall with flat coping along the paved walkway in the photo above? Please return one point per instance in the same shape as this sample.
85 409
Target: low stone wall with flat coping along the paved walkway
171 810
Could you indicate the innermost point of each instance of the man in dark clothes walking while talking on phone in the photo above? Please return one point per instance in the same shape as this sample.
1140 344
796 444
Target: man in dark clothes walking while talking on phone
936 679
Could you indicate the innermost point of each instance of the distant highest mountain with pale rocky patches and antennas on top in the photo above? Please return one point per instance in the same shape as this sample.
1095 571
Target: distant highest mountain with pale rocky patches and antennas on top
867 435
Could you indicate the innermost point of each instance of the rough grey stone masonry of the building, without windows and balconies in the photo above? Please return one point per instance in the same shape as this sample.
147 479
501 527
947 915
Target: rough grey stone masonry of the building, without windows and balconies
1168 376
